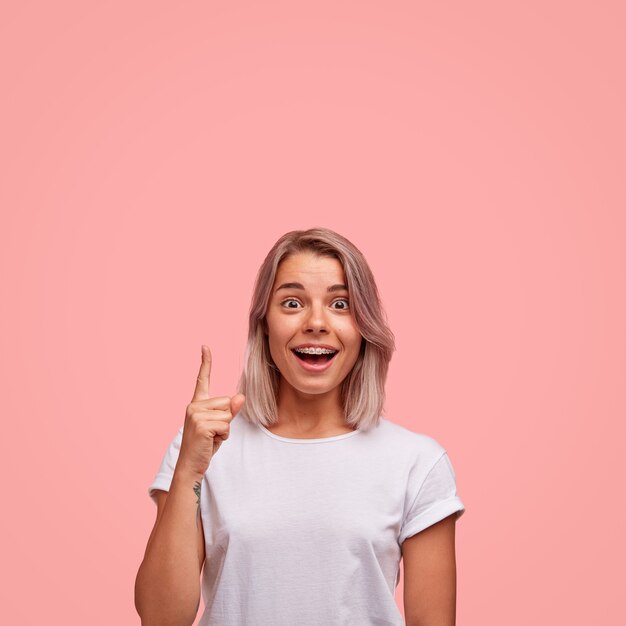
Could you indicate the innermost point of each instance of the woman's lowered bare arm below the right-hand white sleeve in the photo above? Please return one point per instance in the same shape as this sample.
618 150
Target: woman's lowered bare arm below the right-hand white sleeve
430 575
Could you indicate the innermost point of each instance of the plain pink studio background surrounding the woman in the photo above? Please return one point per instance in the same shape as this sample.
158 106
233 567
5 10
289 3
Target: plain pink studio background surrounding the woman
152 152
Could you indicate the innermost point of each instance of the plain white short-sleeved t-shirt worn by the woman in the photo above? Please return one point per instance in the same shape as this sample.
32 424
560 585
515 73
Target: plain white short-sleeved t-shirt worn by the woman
308 531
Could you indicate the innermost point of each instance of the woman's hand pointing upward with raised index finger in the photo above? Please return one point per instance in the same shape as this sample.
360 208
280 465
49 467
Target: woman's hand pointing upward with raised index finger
207 421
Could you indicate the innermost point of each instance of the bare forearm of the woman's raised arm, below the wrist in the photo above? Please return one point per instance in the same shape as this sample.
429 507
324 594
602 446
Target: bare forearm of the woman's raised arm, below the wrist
167 588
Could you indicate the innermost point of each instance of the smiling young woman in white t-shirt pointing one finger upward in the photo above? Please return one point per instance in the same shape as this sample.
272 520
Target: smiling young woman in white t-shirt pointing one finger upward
303 516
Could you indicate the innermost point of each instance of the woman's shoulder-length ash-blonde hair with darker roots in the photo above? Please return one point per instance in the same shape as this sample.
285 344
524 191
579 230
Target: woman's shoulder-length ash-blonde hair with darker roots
363 389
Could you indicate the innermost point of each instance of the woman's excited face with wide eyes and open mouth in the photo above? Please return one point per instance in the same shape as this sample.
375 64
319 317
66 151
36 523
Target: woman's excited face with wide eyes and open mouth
310 306
